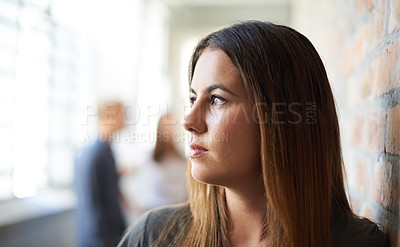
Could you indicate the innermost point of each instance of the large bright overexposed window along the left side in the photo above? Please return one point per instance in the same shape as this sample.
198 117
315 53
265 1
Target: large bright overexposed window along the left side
41 64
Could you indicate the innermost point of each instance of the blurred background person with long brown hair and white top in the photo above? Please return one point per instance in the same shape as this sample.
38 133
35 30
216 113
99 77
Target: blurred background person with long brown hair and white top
160 178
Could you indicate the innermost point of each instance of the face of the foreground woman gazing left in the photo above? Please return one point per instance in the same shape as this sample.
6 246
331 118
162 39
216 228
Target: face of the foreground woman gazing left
224 143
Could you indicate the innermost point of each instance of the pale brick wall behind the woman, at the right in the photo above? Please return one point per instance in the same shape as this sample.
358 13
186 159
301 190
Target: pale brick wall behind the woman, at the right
359 41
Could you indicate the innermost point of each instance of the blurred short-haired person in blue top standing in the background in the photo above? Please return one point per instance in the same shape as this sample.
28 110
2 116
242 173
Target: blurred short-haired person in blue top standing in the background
99 218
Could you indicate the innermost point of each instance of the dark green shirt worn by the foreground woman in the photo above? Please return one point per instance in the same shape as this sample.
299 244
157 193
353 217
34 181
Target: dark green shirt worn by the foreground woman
350 232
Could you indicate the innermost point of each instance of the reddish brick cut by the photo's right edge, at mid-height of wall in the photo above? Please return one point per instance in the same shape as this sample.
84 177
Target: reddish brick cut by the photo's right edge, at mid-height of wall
393 142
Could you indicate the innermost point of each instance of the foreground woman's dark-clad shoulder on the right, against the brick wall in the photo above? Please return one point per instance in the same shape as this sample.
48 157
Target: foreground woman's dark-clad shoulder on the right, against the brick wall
355 231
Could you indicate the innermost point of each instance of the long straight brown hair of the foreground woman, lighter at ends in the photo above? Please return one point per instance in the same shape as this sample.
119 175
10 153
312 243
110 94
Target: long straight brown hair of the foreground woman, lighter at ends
301 155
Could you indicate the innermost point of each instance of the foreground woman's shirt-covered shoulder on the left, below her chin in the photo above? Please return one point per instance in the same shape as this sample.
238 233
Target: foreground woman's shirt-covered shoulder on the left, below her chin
147 229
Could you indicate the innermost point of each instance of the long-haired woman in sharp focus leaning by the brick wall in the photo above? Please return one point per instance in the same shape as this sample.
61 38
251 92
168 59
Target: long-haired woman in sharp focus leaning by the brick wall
265 162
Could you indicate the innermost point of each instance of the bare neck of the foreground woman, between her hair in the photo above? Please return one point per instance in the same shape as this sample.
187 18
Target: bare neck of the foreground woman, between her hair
246 210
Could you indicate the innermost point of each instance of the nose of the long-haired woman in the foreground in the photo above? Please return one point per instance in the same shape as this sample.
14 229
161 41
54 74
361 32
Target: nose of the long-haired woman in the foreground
194 122
